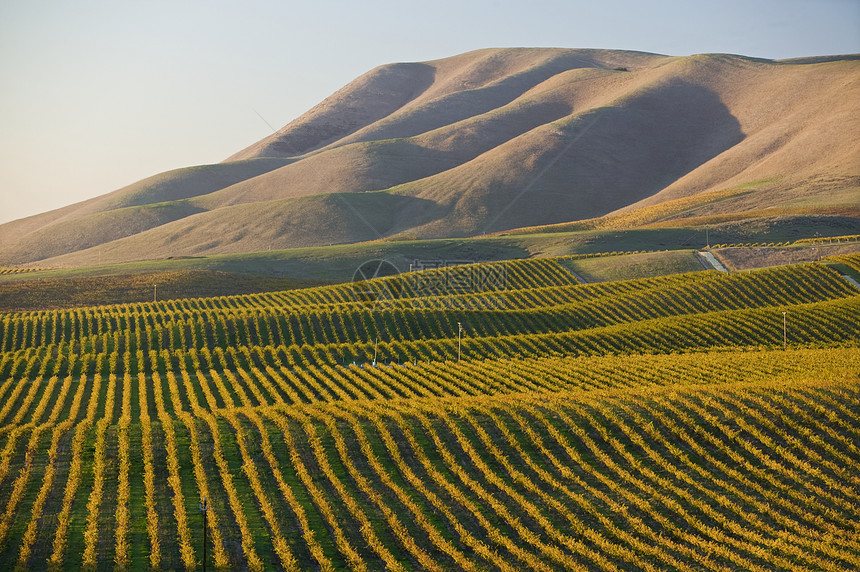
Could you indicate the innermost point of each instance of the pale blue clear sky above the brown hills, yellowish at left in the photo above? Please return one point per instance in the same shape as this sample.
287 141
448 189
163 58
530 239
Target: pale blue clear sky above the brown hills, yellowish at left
98 94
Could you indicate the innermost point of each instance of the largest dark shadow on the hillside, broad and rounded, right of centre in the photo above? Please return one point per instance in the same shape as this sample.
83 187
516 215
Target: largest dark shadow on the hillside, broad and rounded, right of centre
611 157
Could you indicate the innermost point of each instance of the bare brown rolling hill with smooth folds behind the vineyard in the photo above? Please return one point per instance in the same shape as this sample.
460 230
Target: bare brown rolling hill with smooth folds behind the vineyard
490 141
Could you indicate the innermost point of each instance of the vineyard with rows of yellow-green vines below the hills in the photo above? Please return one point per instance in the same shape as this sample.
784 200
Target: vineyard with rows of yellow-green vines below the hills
702 420
